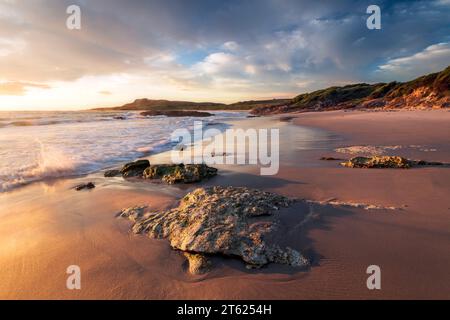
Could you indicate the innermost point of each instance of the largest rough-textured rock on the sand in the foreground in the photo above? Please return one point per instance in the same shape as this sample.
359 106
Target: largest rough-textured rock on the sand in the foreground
227 221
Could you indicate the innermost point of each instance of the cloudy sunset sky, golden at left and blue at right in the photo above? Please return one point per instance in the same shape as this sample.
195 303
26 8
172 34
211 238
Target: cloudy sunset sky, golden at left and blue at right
209 50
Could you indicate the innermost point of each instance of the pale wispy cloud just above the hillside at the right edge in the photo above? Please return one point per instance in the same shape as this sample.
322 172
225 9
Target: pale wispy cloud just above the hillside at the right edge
433 58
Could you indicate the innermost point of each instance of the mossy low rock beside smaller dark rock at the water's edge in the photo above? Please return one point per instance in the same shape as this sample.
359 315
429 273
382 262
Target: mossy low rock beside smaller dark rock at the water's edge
179 173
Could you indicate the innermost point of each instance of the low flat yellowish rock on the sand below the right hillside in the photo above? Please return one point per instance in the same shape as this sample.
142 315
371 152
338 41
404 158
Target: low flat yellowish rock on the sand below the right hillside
379 162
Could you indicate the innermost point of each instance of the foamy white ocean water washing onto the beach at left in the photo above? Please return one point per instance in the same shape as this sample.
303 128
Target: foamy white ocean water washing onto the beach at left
39 145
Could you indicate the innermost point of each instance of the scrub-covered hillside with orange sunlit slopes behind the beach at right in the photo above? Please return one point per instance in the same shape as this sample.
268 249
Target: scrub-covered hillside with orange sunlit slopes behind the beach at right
426 92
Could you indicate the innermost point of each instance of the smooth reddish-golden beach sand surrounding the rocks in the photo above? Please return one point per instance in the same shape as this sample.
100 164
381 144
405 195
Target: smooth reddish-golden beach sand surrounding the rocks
47 226
